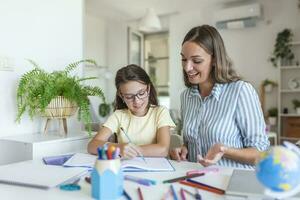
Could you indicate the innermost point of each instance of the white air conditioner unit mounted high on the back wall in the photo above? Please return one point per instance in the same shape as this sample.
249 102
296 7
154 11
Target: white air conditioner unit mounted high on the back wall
238 17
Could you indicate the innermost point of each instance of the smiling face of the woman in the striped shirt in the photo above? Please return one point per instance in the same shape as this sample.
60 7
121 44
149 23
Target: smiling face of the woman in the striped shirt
196 63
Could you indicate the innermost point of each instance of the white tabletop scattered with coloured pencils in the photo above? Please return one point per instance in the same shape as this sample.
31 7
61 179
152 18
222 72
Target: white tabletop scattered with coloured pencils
219 179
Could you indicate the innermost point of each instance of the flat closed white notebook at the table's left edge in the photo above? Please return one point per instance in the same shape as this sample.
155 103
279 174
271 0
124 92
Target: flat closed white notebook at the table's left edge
38 175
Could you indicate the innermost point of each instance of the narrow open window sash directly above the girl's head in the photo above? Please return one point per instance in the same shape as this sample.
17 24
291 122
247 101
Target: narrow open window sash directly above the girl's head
135 47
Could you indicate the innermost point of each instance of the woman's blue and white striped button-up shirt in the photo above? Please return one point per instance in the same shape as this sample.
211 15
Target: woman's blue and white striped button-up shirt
230 115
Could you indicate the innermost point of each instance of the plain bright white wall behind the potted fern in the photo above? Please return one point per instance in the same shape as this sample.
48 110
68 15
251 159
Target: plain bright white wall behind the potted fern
49 32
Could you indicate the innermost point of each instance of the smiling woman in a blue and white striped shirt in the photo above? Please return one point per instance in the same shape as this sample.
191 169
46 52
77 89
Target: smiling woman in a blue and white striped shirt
222 119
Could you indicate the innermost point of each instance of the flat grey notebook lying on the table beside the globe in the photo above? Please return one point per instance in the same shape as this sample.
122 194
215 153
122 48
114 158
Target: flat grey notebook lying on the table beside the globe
245 183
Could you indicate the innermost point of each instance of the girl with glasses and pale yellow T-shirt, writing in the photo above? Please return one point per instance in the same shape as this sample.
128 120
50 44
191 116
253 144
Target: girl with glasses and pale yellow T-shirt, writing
146 126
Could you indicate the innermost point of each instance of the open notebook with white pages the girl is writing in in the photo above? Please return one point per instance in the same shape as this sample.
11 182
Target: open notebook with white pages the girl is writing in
136 164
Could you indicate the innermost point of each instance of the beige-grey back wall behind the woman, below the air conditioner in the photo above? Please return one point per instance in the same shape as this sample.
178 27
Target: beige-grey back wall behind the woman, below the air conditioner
249 48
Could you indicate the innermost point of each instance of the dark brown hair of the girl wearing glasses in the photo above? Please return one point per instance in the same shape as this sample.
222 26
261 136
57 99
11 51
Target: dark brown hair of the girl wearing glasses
133 73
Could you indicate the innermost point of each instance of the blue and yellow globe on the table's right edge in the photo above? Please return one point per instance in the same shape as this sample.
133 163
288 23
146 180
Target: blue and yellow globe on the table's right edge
279 171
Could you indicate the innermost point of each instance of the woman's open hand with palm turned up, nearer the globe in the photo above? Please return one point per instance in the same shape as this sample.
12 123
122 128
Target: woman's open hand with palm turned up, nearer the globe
214 154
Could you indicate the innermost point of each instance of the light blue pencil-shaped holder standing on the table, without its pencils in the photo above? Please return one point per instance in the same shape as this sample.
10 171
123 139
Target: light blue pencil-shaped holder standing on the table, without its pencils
107 179
